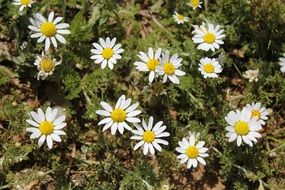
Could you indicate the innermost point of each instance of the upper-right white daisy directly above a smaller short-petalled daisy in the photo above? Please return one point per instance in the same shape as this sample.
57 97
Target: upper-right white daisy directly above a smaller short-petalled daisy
208 37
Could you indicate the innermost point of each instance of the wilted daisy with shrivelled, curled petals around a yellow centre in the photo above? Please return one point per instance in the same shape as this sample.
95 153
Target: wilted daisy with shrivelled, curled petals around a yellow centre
45 65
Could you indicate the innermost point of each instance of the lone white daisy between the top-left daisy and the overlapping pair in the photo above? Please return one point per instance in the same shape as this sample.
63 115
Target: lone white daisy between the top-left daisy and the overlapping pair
106 52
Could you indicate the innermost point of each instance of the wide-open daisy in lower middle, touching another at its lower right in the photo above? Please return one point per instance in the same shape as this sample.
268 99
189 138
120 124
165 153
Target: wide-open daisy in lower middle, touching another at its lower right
118 117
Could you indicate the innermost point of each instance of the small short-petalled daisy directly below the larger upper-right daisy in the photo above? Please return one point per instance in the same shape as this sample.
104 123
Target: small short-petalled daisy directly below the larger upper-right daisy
209 68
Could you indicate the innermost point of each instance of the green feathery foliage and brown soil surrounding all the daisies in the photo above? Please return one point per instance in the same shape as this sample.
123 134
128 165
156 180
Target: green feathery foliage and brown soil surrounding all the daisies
90 159
